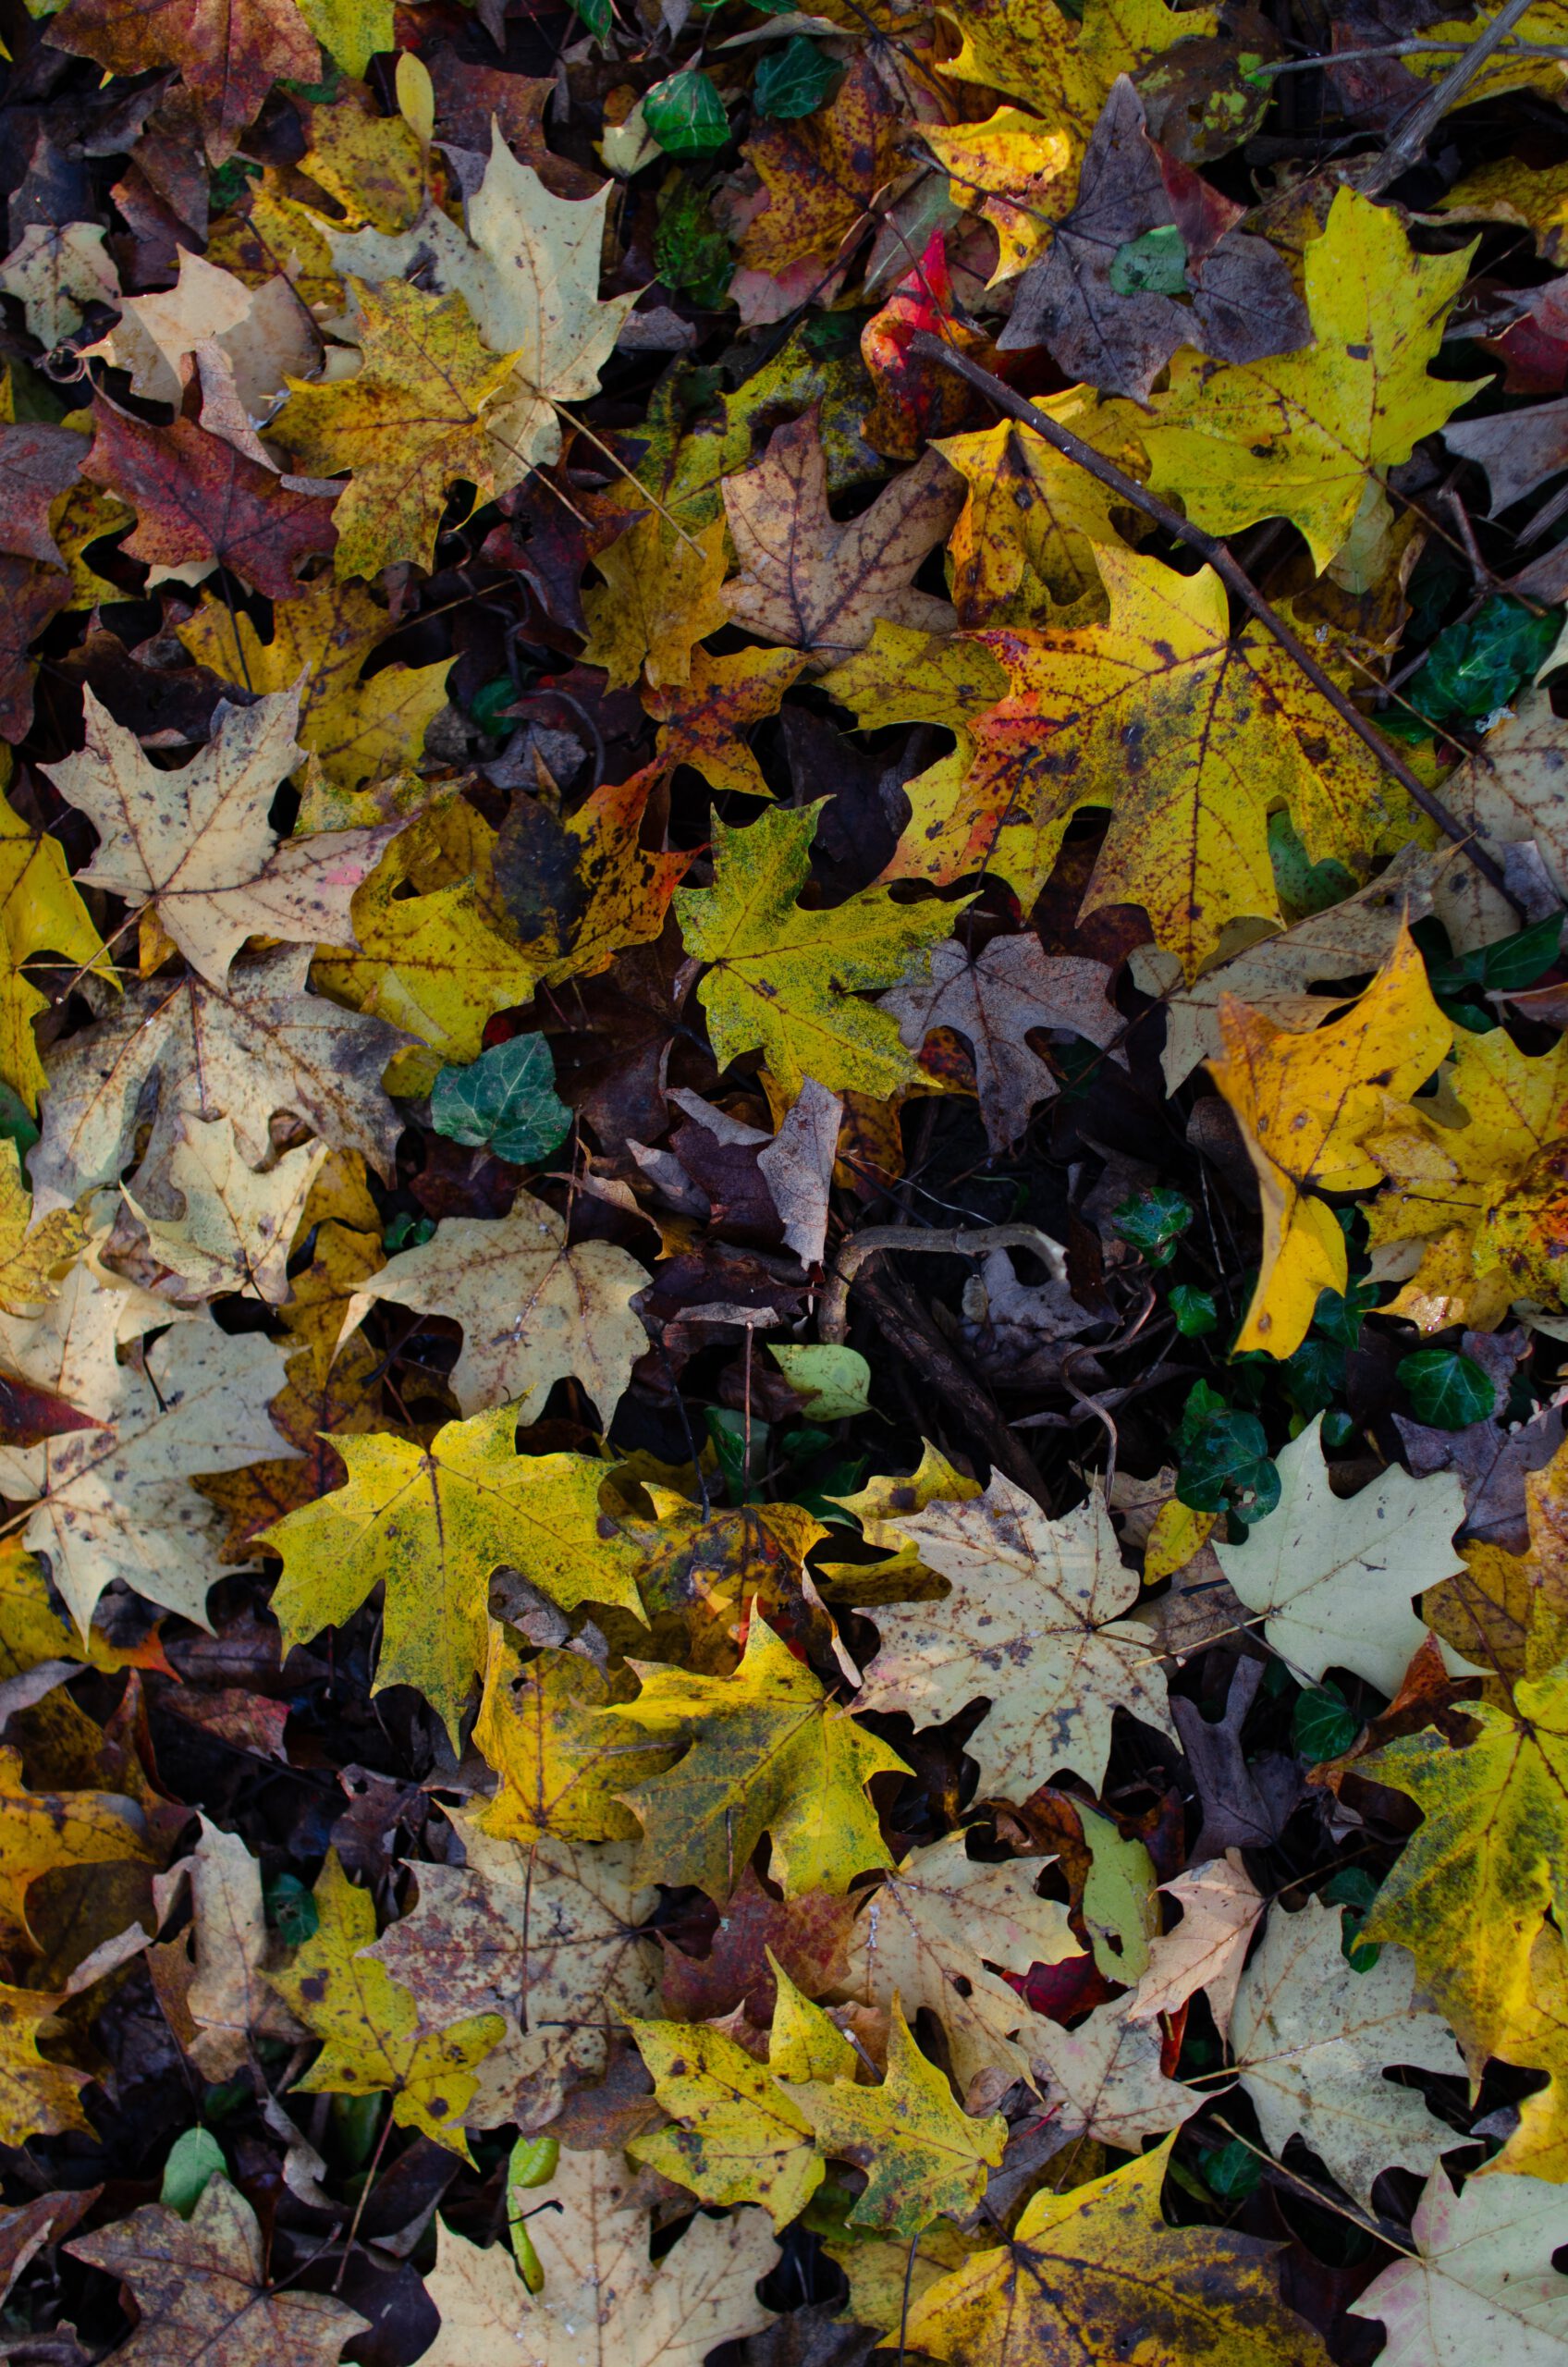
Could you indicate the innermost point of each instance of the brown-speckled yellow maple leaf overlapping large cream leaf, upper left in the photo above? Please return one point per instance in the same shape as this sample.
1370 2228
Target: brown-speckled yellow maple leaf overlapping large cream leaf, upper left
409 425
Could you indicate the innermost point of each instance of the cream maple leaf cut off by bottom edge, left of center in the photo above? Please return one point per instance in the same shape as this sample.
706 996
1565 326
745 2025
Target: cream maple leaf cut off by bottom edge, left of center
605 2304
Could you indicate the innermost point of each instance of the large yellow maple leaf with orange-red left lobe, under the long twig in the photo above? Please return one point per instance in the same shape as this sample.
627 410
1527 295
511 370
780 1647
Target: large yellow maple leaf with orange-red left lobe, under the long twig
1190 735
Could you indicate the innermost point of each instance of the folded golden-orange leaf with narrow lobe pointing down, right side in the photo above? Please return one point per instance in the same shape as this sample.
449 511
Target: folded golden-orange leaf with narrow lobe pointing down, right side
1306 1107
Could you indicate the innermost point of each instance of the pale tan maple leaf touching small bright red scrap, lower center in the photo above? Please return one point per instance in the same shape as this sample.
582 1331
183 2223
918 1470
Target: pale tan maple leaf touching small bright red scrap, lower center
932 1935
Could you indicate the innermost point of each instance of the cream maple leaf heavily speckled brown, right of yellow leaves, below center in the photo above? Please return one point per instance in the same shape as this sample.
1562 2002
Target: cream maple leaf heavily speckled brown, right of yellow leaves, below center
1032 1625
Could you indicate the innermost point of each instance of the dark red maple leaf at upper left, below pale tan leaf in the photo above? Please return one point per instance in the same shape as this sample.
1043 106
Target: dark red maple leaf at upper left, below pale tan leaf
203 501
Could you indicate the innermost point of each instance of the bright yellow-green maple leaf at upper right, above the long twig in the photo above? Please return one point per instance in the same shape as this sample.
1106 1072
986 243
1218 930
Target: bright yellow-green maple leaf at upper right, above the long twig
1304 434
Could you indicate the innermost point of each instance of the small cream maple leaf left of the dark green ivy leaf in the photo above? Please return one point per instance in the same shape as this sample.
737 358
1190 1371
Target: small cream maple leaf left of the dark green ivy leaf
238 1225
